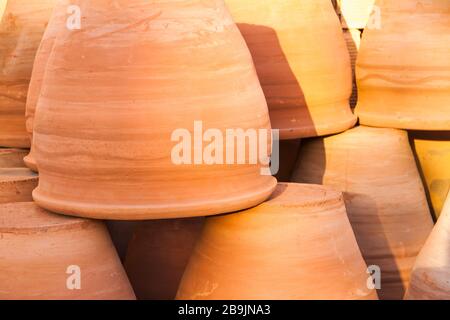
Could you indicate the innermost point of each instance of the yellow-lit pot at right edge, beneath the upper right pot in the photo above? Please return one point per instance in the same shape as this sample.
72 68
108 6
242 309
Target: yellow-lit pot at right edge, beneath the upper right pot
433 154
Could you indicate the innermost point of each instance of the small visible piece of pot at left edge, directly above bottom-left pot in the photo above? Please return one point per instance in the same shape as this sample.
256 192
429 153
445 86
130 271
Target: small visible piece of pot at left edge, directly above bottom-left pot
17 184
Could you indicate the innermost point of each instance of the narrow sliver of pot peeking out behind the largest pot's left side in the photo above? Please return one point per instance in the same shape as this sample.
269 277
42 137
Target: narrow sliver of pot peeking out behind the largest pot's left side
55 24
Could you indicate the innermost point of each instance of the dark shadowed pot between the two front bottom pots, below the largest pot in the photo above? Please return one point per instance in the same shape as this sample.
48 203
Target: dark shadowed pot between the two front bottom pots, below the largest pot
158 254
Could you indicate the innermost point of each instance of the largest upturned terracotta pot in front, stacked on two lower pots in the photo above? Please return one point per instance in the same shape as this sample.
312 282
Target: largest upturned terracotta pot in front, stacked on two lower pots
148 79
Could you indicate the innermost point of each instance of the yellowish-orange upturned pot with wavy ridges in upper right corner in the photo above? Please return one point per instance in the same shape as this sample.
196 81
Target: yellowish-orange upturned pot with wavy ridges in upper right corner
403 68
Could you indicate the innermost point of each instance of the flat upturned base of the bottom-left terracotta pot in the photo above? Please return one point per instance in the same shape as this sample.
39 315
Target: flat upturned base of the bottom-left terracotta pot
27 217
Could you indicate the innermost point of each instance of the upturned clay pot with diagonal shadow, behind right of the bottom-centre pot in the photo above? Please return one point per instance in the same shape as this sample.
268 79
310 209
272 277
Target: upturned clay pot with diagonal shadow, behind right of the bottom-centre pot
384 196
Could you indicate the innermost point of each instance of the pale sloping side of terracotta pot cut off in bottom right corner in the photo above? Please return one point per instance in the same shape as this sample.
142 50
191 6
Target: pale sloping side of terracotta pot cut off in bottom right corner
431 273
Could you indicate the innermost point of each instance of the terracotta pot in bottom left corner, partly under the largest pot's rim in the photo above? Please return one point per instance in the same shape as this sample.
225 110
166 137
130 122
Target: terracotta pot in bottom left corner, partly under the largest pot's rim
44 255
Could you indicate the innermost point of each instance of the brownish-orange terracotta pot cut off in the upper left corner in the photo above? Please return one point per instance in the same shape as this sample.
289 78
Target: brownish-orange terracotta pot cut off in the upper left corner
22 25
